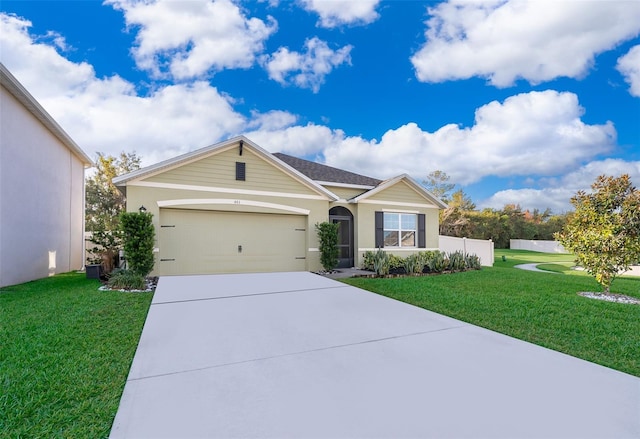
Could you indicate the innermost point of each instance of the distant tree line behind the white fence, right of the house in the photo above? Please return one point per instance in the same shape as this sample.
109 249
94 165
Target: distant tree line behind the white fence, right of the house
461 219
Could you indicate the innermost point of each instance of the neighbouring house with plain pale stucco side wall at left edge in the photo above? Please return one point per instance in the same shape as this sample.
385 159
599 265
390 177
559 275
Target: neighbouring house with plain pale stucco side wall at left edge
41 190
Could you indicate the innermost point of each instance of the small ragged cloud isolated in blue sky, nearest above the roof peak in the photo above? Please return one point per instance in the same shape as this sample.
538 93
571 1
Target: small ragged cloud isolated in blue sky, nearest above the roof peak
308 69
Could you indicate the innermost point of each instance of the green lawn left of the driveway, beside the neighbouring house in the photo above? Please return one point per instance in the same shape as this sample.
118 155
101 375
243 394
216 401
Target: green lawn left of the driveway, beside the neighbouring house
65 352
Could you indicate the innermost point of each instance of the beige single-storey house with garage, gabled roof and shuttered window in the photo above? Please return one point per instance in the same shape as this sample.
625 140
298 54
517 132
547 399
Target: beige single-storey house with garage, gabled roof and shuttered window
234 207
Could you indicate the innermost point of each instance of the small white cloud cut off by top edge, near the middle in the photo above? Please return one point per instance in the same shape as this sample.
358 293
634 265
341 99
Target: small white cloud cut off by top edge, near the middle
336 13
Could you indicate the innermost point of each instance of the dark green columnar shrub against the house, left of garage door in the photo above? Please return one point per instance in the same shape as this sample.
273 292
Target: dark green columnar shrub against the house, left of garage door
138 234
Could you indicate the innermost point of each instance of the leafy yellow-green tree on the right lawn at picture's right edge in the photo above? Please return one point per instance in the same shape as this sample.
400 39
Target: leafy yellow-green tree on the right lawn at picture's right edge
604 230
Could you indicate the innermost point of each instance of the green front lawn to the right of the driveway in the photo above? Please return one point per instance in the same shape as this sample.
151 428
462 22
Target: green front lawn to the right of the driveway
542 308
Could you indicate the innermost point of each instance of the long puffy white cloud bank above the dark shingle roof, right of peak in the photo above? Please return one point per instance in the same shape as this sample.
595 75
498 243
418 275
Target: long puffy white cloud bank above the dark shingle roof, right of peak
537 133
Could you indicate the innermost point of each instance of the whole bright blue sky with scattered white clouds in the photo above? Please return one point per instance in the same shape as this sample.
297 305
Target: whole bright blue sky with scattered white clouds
518 102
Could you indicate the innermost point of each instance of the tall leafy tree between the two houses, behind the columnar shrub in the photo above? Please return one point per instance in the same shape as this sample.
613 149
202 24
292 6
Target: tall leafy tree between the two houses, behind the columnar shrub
104 203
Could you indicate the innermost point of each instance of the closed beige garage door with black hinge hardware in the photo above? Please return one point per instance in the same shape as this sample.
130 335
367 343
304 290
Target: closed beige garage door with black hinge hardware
209 242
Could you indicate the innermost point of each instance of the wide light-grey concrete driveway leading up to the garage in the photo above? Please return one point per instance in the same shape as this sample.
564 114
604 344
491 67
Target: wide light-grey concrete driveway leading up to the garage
288 355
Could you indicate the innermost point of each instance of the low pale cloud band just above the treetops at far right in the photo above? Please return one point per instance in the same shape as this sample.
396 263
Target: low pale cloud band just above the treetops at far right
557 193
